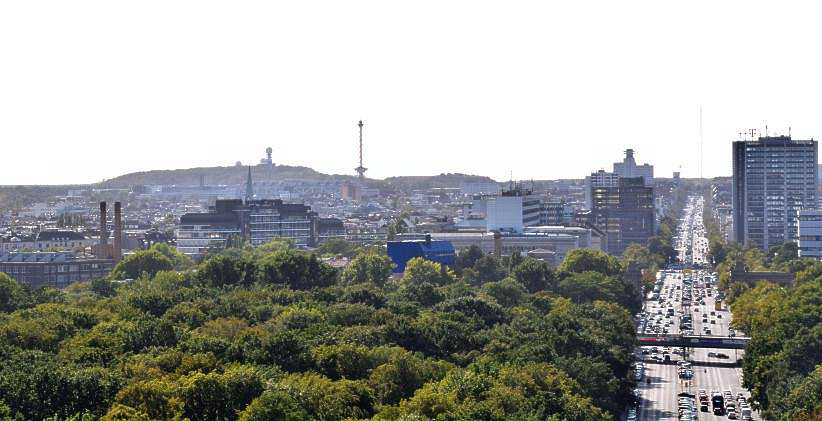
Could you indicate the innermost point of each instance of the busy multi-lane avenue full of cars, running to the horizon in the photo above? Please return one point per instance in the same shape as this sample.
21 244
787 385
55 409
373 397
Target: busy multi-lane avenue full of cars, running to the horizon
688 383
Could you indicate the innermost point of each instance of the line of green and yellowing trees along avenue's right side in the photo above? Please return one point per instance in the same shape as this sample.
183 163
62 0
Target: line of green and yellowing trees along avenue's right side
783 360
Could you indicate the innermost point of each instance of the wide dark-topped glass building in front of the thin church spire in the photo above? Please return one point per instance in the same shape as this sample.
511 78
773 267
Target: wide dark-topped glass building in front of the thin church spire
255 221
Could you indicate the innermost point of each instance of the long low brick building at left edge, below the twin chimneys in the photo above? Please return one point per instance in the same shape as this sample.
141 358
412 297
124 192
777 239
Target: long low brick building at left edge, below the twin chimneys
53 269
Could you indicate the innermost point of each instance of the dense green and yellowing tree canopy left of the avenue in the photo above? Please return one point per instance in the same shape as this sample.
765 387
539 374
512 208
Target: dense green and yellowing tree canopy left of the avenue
275 334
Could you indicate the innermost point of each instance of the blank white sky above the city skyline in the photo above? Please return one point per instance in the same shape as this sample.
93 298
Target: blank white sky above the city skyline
90 90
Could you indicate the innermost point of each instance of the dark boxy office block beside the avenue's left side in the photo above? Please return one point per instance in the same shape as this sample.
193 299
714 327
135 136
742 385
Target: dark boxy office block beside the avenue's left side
625 213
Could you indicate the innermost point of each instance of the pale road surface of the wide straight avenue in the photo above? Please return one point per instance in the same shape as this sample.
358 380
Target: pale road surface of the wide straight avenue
659 398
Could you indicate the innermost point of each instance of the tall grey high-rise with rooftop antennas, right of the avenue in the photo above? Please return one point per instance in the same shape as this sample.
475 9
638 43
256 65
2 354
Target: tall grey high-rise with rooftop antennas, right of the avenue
773 179
